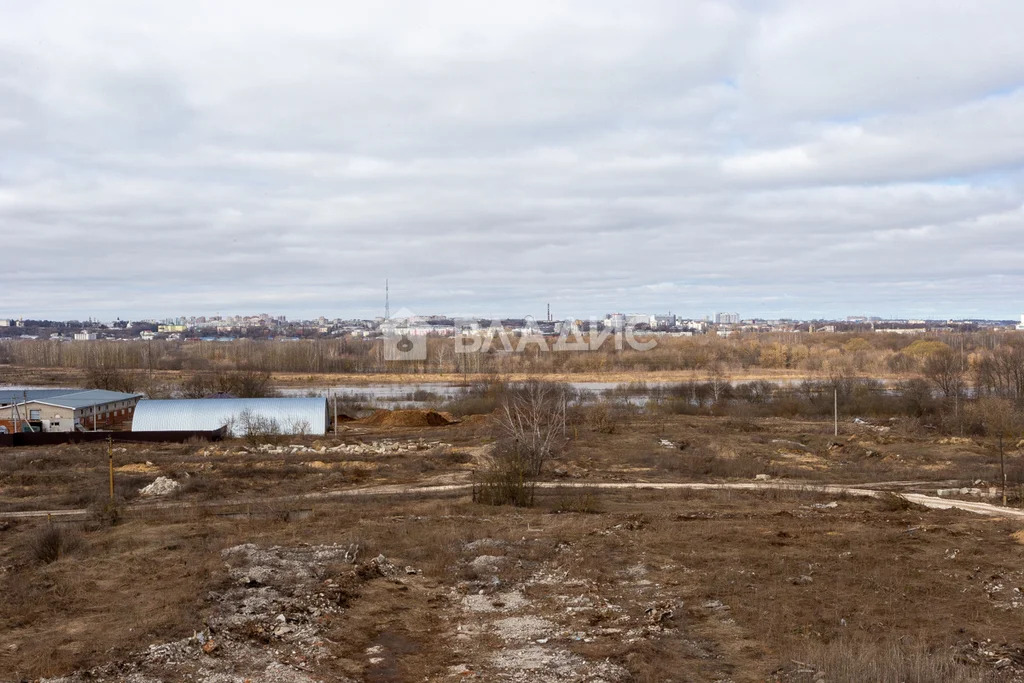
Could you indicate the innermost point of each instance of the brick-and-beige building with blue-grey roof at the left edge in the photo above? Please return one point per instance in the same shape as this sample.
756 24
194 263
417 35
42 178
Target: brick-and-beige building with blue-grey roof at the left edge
65 410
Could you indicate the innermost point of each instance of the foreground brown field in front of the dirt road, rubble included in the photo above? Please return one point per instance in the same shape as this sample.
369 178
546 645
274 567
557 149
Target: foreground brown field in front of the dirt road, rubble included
703 586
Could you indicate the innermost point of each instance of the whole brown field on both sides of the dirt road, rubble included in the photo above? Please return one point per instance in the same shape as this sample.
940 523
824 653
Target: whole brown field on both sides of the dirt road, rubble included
610 585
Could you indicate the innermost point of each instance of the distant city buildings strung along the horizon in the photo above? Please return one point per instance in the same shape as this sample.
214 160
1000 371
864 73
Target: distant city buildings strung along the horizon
265 326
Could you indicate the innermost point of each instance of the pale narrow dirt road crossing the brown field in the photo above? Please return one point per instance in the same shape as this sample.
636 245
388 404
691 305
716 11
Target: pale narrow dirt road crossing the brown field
449 489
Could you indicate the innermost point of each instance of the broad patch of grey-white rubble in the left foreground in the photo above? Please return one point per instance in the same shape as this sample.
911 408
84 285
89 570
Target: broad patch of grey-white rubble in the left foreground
269 624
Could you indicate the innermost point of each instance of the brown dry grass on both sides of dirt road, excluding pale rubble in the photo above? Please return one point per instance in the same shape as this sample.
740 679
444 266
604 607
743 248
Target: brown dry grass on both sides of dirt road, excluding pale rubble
864 590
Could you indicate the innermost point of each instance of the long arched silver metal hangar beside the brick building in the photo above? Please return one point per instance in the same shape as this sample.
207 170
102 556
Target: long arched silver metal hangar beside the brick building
241 416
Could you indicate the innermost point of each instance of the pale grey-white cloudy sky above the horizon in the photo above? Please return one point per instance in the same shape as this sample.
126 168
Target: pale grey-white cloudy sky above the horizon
775 158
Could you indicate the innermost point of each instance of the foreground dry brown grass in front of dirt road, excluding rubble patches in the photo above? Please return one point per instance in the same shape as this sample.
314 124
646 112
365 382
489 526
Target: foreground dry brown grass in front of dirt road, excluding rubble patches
872 582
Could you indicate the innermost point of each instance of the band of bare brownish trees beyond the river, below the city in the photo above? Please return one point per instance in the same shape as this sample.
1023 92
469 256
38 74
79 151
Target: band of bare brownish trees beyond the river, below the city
992 363
